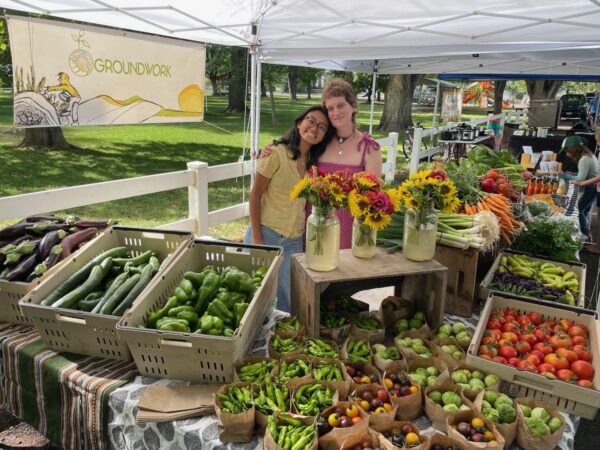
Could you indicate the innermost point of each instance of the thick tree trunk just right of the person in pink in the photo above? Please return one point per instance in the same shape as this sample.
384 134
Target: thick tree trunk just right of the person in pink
397 109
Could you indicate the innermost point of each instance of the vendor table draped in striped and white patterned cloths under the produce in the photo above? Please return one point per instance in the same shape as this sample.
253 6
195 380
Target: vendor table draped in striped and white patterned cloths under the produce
82 402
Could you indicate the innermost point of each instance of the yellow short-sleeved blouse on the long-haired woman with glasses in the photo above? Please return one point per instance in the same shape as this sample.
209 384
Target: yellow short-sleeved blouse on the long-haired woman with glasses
278 212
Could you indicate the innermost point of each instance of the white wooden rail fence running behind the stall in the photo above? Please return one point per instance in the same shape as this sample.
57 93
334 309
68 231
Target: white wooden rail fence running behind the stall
196 178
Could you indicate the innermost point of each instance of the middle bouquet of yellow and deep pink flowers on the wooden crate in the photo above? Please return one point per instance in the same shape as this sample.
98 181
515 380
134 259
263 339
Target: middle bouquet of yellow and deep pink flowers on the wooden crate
371 205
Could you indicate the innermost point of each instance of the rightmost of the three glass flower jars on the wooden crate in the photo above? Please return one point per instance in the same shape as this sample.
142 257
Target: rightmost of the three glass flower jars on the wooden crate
420 234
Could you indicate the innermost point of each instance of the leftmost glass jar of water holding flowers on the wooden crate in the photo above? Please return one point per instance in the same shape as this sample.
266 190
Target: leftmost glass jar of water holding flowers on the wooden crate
322 239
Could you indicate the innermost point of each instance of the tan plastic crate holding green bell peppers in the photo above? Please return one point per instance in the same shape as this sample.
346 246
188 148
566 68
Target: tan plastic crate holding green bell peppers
199 357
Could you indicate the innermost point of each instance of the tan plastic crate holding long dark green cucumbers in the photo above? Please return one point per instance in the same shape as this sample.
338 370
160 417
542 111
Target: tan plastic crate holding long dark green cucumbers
90 333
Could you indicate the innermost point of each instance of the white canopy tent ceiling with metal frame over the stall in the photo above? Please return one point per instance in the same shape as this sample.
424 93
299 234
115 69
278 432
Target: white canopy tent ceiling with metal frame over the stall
406 36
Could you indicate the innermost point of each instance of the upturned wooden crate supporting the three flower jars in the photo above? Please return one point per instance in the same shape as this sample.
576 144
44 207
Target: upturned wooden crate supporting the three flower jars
424 283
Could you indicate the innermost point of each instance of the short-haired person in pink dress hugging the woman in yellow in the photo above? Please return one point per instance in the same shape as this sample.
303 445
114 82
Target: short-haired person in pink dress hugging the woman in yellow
349 149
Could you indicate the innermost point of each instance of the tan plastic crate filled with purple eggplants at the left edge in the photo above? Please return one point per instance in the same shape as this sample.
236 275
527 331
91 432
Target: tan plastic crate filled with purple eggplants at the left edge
13 291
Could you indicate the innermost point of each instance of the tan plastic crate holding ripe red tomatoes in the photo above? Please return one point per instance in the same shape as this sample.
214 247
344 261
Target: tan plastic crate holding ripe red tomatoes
558 394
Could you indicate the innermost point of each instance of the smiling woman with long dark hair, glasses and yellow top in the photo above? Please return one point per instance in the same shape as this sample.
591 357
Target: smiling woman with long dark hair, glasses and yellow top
275 219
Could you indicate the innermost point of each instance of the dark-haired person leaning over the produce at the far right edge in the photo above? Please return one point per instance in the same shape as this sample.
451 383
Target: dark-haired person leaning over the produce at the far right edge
587 166
